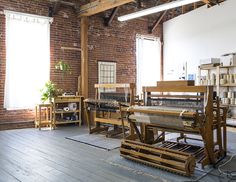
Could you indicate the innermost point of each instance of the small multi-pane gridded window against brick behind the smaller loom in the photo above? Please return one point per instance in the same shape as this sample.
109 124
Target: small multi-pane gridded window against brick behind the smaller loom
106 73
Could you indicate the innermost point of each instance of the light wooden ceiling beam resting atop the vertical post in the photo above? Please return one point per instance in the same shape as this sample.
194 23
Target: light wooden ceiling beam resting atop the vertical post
100 6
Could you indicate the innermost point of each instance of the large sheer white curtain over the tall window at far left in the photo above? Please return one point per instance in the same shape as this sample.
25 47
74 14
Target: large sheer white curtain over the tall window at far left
27 59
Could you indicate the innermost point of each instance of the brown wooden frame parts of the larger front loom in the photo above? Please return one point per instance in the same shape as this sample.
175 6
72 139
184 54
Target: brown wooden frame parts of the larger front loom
207 124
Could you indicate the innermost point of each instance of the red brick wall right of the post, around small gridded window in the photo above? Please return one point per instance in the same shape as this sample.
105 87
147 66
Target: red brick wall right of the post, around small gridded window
115 43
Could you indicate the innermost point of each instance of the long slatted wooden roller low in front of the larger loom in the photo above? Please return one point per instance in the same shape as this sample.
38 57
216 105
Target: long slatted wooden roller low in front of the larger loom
167 159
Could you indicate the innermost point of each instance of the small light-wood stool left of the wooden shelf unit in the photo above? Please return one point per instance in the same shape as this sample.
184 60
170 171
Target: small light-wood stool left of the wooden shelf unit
43 116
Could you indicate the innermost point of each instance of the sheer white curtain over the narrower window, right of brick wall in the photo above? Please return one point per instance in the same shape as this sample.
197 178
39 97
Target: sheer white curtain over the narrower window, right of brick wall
148 50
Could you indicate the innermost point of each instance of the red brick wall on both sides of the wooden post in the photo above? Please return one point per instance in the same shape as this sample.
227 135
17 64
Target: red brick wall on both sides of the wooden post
116 43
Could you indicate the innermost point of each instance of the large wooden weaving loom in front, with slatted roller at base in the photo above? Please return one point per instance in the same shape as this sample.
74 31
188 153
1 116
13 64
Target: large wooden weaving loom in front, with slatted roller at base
177 109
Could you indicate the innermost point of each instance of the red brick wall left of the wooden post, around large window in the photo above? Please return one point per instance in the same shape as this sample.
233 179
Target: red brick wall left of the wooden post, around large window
64 32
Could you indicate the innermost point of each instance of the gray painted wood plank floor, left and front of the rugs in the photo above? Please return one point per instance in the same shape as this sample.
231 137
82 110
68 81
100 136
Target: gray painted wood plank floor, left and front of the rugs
29 155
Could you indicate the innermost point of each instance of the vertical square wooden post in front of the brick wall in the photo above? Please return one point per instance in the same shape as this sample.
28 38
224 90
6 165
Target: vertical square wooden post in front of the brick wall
84 56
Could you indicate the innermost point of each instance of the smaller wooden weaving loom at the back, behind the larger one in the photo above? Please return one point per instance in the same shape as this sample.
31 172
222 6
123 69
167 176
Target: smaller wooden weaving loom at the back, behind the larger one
106 107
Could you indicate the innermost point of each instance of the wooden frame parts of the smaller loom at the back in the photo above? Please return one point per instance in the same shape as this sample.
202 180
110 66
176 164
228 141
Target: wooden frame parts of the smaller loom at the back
100 117
